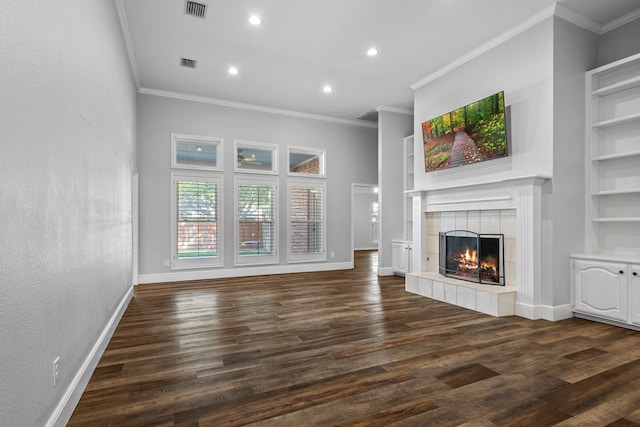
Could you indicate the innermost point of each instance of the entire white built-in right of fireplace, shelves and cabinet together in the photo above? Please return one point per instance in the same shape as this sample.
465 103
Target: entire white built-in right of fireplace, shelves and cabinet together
606 282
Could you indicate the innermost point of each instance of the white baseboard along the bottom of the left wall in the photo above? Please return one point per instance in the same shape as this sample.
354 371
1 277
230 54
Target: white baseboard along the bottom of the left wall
66 406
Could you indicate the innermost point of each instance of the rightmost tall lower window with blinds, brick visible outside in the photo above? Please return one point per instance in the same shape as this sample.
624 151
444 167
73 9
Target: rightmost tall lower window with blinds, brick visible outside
307 228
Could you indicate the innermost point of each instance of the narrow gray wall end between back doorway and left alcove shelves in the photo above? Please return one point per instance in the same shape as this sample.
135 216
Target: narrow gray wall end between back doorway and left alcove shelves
392 128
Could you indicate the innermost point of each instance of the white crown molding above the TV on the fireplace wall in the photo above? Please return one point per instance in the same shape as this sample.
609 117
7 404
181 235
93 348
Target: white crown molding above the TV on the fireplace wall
496 41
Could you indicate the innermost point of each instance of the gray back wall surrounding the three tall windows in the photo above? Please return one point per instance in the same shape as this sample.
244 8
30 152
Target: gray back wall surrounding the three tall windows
351 158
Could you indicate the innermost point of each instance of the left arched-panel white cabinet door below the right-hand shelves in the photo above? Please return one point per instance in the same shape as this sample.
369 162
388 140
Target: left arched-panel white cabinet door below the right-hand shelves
601 289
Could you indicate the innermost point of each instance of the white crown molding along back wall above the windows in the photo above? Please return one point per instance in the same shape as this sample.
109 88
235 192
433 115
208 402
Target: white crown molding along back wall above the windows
252 107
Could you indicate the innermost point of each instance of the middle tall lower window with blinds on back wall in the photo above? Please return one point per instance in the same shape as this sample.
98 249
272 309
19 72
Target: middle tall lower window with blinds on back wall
256 221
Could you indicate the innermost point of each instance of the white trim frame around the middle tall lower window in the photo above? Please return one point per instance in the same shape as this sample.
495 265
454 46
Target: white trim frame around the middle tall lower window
244 260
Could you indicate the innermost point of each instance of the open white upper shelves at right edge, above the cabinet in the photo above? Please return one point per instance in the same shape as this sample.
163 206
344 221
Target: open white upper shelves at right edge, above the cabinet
612 96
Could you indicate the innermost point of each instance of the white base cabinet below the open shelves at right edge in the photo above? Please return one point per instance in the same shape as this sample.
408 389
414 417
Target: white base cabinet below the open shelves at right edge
606 290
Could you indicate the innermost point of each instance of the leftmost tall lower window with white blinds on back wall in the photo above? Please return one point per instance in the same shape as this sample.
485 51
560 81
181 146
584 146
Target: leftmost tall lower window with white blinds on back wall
196 219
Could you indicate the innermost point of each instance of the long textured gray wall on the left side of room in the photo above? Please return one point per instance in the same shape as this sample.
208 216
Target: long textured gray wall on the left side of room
68 154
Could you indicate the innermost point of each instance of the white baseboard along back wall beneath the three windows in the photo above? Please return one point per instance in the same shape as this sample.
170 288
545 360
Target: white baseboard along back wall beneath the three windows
184 275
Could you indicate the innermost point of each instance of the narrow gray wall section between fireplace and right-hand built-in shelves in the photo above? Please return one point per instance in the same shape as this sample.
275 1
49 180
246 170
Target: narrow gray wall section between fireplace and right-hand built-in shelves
575 50
